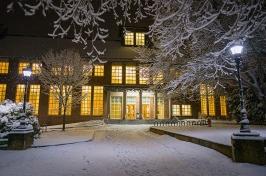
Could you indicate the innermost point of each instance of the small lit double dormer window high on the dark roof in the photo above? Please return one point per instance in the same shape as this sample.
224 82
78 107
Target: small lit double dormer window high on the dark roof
134 39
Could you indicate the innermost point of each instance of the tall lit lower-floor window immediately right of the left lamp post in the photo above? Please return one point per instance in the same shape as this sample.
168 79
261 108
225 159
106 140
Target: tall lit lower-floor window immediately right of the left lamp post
34 98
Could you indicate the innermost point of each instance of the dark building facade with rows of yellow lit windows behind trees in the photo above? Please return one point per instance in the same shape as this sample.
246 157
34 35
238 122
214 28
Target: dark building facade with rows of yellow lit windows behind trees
118 89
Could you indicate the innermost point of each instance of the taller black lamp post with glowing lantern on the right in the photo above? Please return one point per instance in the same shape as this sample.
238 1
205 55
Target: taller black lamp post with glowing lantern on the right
236 51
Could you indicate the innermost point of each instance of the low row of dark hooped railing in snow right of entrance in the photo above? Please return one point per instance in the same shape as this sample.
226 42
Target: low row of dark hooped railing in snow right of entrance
177 122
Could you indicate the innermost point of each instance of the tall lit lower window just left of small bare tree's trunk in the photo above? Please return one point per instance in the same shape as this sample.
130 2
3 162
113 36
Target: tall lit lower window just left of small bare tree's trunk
53 107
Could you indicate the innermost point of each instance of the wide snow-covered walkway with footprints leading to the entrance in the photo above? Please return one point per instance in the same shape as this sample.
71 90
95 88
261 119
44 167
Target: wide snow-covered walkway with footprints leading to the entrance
124 150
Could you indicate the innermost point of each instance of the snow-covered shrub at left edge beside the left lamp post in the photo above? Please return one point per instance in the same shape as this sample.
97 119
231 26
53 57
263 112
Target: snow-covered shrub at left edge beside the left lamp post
12 116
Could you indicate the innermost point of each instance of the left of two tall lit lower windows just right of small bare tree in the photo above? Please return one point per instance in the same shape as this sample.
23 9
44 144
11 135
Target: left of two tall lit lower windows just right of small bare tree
86 101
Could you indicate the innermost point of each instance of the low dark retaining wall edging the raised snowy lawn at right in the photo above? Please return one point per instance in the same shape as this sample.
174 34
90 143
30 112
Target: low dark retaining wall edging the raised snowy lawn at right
222 148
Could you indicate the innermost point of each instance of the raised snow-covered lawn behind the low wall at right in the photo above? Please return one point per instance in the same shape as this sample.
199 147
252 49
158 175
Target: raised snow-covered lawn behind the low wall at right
218 133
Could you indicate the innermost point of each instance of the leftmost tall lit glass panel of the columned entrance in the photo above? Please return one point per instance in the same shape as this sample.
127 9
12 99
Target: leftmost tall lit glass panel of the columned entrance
116 107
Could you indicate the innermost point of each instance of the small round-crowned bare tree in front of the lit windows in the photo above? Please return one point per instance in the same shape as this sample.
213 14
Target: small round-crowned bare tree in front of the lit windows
63 74
